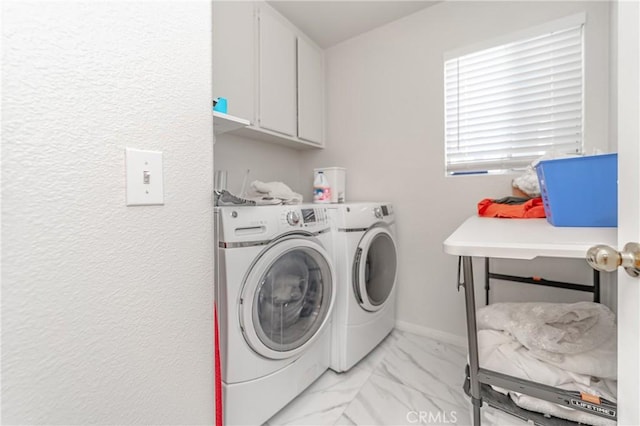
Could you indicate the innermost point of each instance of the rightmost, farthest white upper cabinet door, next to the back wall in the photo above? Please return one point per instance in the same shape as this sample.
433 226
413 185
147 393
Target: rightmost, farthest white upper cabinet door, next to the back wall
310 92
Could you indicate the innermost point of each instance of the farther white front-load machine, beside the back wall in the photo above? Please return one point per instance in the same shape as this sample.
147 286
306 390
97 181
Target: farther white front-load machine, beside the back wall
366 266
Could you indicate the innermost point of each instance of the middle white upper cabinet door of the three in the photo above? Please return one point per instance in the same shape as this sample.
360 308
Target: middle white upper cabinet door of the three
277 82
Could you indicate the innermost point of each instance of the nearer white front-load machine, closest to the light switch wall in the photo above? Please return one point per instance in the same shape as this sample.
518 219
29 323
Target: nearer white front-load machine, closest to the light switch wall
275 290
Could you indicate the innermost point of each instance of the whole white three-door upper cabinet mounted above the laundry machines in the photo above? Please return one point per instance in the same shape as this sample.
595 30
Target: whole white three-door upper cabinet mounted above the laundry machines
270 73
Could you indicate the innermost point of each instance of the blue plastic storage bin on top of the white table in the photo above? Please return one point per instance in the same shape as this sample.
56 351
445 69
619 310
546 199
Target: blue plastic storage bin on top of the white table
580 191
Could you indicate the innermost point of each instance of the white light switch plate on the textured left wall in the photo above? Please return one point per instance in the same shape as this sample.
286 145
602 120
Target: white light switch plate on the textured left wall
144 177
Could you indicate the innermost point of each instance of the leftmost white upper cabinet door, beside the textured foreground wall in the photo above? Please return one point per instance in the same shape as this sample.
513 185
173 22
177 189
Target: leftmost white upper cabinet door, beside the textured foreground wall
234 53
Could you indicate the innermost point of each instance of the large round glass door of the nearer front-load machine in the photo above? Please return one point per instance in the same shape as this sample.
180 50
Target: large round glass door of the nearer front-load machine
287 297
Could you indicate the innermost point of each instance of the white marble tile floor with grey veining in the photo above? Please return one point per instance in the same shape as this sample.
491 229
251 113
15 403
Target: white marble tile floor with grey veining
407 380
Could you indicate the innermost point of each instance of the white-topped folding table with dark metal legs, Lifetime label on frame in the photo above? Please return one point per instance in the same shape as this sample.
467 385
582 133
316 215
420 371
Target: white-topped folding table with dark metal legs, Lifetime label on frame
518 239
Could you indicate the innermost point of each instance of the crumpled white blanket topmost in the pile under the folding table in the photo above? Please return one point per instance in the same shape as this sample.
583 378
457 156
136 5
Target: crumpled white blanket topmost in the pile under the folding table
551 330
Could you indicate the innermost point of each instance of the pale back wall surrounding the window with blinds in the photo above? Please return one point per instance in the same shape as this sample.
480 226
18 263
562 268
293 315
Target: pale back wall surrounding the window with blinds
385 125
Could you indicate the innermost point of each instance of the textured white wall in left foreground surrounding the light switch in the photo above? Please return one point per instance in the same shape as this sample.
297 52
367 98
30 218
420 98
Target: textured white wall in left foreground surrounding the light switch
106 309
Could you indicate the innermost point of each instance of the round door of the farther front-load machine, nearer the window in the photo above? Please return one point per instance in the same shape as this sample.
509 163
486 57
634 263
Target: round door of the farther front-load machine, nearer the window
374 268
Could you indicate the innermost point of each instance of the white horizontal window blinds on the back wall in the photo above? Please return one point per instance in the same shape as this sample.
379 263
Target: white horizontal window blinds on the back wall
508 105
